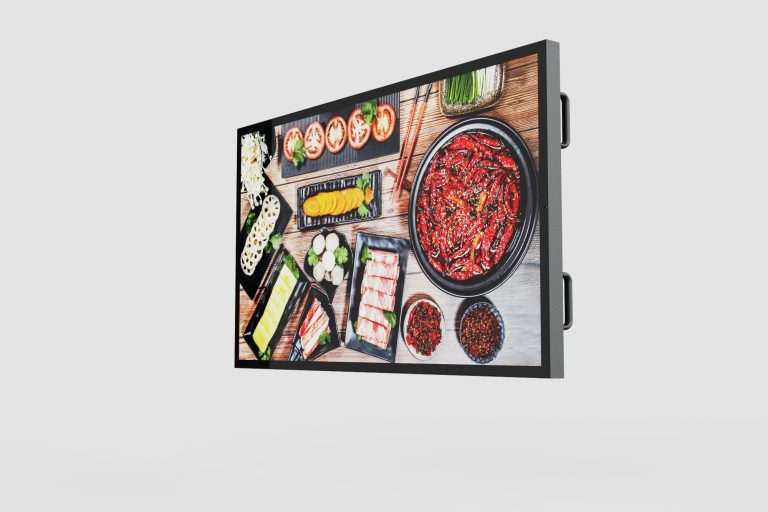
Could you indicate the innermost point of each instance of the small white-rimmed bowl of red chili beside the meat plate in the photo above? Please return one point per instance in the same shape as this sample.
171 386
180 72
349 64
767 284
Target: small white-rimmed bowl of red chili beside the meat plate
423 329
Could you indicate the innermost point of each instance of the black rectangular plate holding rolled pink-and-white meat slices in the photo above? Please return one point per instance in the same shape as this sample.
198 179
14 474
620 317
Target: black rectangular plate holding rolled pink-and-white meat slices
384 243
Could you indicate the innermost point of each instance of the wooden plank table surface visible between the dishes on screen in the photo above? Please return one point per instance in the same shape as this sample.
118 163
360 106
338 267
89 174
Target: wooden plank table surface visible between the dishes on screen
518 299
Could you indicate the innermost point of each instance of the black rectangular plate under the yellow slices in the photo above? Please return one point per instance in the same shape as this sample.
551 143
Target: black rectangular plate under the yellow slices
304 222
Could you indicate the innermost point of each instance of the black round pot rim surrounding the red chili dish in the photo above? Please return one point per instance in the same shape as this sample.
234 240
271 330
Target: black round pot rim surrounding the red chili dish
521 240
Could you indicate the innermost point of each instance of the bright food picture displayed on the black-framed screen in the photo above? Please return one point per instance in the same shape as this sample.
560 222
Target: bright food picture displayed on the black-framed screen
402 229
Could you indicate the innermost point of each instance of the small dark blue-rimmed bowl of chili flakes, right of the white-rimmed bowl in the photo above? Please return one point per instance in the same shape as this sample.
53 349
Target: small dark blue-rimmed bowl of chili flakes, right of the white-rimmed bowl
481 332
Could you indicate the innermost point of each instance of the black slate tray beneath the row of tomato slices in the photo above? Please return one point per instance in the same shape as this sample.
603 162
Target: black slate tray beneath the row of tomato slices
347 155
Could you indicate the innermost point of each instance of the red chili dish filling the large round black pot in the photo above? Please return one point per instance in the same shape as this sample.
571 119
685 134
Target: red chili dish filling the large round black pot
468 205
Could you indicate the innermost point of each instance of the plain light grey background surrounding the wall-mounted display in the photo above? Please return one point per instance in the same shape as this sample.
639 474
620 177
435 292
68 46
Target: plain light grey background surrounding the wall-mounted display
117 390
